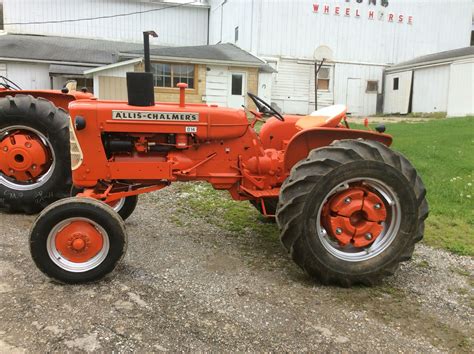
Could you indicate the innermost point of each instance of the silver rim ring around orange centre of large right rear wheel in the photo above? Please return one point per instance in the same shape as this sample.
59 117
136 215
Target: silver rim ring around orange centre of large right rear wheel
390 230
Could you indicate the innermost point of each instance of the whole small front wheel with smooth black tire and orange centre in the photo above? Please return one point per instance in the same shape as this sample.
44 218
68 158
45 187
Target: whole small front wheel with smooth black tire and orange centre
77 240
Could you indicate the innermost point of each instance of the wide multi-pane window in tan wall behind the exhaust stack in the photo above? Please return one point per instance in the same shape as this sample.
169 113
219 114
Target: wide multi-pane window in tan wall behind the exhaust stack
169 75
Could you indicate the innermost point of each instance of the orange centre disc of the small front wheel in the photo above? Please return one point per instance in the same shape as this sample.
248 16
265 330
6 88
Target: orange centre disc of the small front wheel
79 241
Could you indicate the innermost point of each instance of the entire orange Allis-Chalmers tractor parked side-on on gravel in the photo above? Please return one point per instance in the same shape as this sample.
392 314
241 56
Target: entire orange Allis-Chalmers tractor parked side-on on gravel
349 208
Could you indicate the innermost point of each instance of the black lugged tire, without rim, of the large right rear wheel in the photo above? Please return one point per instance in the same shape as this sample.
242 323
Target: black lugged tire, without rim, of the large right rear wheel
308 185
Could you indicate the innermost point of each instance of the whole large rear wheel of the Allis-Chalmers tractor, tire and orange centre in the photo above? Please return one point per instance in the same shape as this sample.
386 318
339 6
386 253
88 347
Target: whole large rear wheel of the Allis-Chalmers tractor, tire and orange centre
351 212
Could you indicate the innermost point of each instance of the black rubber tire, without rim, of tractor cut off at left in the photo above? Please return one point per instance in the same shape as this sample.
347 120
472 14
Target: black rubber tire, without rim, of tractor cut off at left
53 123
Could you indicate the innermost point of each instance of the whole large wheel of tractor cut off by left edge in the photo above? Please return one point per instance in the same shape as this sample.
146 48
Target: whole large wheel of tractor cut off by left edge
35 167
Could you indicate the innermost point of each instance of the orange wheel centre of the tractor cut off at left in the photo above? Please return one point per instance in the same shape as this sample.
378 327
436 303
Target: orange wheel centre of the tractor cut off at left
24 156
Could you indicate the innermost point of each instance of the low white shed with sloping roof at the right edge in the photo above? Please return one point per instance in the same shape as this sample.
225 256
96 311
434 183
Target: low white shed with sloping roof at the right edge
441 82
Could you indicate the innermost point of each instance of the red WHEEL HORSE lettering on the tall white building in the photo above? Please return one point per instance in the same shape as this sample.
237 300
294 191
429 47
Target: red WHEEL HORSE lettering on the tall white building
347 11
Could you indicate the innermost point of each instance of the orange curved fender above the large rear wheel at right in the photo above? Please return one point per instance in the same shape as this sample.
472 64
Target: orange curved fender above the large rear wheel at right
306 140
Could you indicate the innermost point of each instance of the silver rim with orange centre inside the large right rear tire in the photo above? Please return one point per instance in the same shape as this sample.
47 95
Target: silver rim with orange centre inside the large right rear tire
358 219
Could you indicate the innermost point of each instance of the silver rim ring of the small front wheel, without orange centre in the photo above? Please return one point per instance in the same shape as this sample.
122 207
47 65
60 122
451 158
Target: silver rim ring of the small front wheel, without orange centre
74 267
